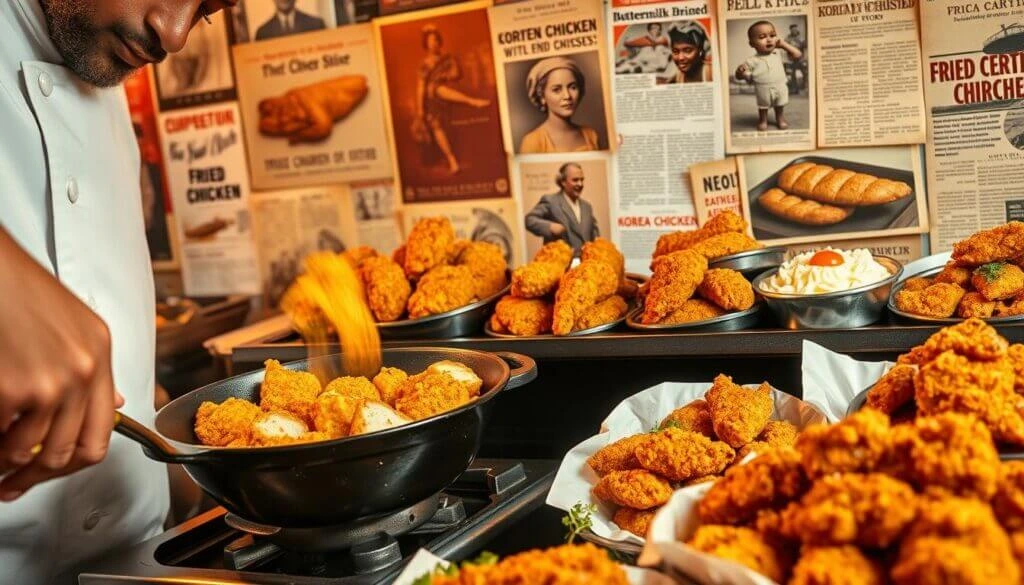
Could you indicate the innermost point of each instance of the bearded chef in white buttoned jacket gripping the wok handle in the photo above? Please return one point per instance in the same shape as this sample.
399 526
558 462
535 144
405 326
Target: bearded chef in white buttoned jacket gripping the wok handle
76 287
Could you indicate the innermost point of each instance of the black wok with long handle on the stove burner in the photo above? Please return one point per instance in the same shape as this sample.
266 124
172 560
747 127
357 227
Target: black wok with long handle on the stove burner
333 482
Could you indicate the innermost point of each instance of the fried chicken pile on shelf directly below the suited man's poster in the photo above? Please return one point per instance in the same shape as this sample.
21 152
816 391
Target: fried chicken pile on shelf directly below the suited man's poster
549 298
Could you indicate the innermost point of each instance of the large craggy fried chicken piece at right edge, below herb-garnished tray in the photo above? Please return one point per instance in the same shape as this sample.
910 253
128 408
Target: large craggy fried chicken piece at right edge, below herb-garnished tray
954 384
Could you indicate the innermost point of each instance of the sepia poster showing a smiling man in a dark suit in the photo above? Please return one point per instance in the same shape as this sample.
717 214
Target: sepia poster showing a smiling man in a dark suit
566 199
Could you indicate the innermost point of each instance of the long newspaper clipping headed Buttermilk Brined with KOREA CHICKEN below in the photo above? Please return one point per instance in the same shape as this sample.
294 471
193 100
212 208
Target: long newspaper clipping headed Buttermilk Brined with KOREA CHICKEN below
669 116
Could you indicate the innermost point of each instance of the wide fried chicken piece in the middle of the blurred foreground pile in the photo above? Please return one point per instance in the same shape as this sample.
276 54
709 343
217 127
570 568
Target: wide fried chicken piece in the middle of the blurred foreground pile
870 511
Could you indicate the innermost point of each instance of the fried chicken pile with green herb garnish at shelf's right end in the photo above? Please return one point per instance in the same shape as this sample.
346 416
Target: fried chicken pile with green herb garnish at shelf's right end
983 279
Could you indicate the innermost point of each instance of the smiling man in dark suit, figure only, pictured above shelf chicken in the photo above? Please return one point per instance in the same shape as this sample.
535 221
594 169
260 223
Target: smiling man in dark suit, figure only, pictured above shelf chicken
565 216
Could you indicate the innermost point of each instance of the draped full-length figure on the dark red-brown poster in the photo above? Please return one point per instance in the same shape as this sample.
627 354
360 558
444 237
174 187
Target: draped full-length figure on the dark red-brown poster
436 94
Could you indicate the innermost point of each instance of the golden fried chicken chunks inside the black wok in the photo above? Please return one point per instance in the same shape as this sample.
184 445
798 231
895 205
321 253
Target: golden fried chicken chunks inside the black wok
294 408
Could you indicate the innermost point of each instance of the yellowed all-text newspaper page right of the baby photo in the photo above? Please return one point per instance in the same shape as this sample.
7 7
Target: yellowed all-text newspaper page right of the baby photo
869 81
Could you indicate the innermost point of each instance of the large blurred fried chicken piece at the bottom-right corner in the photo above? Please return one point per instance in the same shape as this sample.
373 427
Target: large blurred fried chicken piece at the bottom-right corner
955 540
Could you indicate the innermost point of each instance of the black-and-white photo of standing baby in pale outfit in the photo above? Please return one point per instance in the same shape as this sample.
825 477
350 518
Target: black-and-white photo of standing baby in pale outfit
769 89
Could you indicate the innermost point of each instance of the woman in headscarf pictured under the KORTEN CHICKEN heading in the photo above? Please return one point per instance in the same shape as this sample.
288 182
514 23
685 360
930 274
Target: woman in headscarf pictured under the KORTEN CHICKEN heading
557 87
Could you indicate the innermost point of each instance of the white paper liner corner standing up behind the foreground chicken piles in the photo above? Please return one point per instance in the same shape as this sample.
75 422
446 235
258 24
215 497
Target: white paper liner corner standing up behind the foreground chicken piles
832 381
